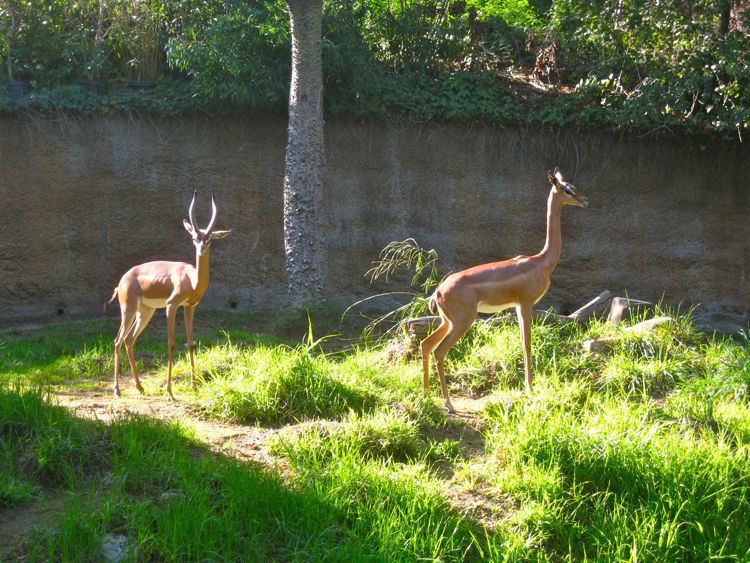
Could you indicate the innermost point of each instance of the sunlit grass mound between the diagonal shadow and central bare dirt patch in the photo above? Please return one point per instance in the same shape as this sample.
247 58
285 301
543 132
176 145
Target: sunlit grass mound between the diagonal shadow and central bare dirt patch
370 468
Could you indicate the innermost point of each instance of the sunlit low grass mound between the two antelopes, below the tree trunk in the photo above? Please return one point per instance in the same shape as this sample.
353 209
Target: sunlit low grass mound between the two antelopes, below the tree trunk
280 384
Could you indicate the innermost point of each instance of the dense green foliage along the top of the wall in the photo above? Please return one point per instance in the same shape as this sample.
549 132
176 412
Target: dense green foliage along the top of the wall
675 66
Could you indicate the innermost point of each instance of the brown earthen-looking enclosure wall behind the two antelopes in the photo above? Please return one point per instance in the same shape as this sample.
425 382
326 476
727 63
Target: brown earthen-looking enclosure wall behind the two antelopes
85 199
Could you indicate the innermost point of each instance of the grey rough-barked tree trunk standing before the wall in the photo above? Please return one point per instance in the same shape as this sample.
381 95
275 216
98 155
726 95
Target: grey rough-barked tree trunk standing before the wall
303 182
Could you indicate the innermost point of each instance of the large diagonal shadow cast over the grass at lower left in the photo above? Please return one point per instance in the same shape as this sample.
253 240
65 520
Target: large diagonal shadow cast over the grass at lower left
170 498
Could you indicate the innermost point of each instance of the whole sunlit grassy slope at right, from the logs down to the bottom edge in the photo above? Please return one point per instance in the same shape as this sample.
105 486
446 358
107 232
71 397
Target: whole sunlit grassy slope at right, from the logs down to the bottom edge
638 453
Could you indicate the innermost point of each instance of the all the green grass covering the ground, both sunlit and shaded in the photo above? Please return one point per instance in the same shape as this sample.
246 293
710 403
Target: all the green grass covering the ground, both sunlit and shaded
639 453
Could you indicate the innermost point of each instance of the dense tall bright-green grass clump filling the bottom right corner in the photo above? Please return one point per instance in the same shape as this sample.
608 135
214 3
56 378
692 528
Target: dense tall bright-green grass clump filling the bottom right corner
619 480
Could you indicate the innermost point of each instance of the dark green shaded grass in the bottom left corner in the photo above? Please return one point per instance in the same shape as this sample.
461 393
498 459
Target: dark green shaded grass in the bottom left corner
154 483
